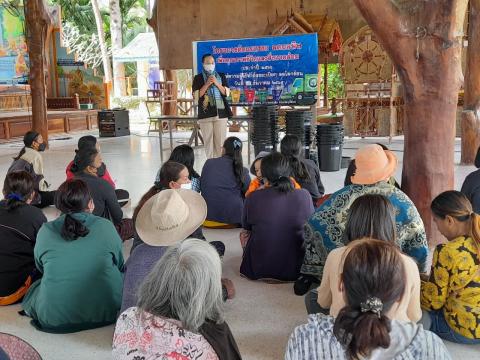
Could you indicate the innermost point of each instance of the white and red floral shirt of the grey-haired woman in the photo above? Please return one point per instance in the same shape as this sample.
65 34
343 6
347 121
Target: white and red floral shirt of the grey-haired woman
141 336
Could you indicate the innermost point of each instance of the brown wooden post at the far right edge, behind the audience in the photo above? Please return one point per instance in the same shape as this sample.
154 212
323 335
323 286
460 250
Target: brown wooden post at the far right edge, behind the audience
471 105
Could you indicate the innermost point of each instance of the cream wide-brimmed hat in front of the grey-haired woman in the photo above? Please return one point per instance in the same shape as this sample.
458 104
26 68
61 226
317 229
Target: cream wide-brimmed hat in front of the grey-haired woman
170 217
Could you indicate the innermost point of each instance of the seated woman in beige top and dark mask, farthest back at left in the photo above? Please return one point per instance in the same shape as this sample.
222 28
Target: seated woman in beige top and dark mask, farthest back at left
30 160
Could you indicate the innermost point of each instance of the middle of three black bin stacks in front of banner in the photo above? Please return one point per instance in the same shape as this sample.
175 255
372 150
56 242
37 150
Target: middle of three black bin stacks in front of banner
299 123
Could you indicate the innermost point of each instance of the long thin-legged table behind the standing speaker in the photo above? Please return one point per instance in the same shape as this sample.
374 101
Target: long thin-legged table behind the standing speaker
195 133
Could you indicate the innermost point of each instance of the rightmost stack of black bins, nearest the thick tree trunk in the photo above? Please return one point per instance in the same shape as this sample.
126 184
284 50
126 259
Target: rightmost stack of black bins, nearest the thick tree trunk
330 146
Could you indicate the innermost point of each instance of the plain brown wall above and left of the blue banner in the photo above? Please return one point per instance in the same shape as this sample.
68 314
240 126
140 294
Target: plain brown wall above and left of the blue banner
182 21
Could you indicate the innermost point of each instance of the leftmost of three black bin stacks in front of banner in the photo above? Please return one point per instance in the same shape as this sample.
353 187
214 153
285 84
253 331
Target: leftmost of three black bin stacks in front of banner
265 128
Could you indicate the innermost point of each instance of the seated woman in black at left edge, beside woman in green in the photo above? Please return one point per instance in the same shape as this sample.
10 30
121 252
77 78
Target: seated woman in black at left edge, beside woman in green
19 226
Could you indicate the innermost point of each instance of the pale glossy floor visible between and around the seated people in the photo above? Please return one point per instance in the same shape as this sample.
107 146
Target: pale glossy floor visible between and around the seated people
261 316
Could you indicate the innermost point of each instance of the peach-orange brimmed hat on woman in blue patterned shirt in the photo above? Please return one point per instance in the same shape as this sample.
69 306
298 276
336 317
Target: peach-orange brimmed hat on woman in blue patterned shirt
373 164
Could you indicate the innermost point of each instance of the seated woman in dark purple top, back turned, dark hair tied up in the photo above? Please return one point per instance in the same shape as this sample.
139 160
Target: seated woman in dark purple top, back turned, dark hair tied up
274 219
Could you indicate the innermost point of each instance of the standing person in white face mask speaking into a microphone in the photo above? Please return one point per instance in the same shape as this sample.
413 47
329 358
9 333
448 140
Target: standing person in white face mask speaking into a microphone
210 88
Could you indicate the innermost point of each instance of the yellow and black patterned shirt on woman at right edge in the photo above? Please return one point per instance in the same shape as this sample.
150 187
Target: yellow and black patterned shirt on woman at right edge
454 285
